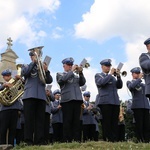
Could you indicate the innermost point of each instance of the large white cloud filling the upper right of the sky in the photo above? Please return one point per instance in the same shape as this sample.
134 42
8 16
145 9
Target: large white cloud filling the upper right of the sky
107 19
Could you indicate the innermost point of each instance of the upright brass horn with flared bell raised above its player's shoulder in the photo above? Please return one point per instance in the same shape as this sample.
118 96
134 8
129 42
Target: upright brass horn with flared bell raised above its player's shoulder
38 53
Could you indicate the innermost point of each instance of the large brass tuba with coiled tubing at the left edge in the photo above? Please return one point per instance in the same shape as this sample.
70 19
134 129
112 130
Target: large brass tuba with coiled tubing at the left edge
10 94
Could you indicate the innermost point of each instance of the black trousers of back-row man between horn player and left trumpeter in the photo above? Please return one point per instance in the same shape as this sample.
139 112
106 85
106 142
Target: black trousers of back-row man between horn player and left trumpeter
57 132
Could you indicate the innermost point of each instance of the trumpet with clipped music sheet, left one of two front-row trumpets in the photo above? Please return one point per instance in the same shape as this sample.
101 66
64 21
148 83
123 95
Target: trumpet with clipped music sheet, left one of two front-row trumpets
83 64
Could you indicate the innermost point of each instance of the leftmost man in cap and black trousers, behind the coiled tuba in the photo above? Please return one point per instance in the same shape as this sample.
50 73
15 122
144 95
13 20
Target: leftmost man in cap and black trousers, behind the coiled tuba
9 114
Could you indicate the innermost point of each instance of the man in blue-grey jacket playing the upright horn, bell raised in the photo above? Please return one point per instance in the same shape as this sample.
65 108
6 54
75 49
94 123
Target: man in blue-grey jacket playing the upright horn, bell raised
34 99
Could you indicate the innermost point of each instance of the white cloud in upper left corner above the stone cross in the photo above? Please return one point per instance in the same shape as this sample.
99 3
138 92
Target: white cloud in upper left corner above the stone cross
19 19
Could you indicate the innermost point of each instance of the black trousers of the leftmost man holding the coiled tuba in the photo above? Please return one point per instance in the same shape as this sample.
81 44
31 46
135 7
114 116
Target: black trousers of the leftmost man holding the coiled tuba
8 122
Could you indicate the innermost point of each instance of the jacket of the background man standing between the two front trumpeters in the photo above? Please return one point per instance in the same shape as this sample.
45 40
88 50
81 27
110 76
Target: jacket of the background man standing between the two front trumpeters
88 116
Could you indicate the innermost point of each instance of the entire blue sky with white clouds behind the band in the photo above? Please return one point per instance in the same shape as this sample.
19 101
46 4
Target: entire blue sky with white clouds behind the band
91 29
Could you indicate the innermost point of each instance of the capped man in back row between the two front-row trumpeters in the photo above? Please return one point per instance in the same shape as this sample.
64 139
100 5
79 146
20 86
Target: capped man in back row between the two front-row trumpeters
88 118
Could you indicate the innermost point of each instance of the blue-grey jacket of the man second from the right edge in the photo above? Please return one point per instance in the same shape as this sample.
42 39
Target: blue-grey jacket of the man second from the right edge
137 88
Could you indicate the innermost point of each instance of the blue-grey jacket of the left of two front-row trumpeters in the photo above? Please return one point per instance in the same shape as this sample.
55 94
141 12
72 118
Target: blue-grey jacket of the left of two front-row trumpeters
70 86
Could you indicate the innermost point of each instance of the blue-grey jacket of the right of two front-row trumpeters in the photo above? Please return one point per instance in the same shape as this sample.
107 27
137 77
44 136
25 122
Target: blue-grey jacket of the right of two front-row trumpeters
107 86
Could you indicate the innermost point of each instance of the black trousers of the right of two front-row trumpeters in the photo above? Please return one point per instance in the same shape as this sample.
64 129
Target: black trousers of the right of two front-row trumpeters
110 115
